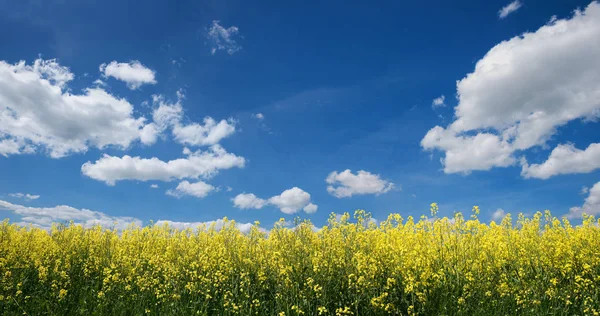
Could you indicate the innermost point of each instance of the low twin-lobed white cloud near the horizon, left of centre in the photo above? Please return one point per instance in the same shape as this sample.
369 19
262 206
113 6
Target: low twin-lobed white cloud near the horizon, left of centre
289 201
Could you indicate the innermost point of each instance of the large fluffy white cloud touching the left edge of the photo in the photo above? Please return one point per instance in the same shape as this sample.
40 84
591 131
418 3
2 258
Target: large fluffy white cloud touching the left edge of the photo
38 112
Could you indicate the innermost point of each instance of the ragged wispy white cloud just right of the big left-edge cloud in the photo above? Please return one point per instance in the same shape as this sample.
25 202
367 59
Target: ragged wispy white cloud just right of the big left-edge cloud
170 115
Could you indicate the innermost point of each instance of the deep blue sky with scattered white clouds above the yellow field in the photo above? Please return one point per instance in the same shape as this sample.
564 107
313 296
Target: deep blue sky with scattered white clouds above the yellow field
112 98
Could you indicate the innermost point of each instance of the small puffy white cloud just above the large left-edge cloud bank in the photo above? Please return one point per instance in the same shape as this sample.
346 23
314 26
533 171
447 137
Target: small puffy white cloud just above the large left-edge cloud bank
133 73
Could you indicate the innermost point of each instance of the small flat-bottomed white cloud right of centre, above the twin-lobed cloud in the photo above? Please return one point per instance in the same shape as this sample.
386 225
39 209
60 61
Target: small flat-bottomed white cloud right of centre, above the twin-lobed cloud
346 184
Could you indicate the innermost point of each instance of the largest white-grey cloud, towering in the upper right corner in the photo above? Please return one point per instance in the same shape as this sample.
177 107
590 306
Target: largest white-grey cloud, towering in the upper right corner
521 91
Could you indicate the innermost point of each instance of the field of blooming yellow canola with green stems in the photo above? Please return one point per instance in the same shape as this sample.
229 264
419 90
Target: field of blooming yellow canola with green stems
522 266
